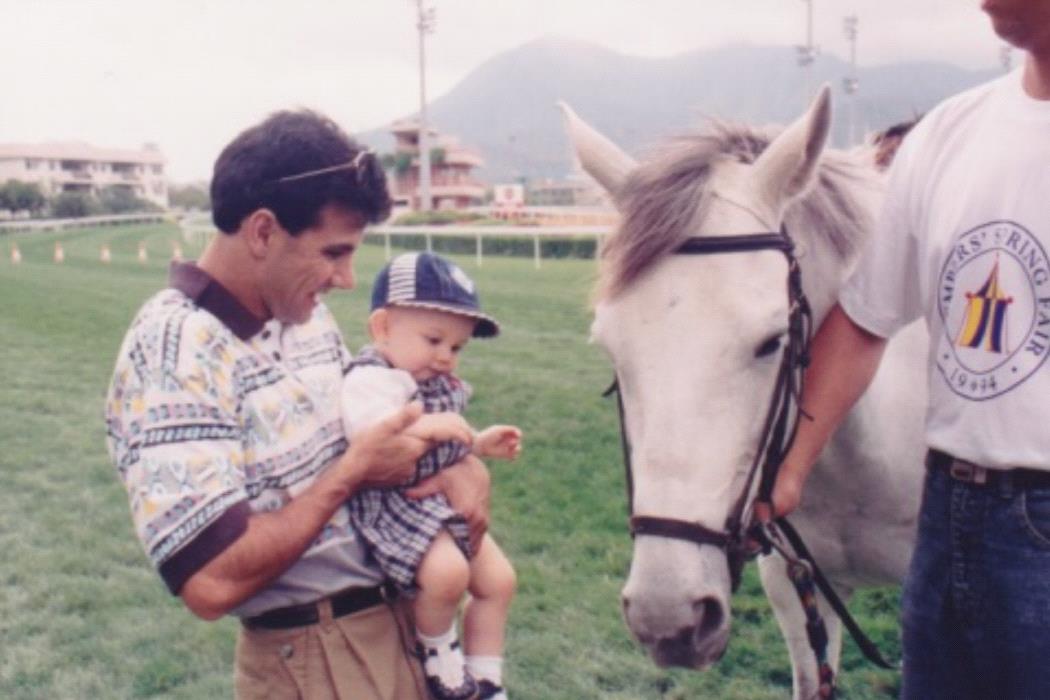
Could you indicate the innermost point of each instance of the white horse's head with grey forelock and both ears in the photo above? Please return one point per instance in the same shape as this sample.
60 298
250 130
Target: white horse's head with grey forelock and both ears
696 341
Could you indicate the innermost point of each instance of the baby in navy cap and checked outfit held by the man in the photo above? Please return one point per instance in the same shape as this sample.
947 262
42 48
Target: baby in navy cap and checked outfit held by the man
425 310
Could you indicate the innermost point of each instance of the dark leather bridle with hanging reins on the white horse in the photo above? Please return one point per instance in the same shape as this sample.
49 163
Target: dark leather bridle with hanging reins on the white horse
741 538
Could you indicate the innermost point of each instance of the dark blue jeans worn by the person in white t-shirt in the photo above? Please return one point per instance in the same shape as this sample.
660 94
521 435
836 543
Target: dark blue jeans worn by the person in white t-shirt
976 608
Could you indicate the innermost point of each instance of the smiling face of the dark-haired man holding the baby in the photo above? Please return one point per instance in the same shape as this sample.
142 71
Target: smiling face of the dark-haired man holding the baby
300 269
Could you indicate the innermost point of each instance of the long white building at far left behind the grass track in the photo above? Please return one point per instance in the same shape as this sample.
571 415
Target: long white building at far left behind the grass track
78 167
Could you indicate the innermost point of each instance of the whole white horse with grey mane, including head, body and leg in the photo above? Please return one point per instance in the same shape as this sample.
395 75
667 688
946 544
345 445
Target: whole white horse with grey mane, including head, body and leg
695 342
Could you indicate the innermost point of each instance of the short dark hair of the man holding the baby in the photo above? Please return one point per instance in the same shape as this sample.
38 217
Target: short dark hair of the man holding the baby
275 165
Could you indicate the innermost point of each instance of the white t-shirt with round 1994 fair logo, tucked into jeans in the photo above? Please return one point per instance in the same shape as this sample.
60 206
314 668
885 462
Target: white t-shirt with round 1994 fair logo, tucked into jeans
963 241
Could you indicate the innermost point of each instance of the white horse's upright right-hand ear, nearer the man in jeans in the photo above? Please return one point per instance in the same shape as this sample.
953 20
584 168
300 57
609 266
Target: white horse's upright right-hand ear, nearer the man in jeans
786 168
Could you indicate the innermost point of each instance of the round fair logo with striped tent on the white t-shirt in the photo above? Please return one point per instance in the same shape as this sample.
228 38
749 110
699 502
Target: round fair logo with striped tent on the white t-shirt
994 299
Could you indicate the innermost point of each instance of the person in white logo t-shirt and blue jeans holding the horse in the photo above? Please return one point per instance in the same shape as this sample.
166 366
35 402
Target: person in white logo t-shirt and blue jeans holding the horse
964 242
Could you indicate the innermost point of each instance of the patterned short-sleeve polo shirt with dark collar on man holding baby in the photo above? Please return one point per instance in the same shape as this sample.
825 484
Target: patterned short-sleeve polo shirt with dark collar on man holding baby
214 415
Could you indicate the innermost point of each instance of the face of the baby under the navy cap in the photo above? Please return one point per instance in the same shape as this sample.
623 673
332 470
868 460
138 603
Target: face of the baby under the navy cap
423 342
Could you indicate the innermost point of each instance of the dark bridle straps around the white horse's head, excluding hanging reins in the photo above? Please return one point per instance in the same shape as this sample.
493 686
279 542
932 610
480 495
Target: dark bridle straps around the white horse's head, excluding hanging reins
781 422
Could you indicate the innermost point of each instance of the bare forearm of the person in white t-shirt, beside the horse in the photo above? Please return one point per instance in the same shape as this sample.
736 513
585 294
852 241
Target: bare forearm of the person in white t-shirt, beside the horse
845 358
